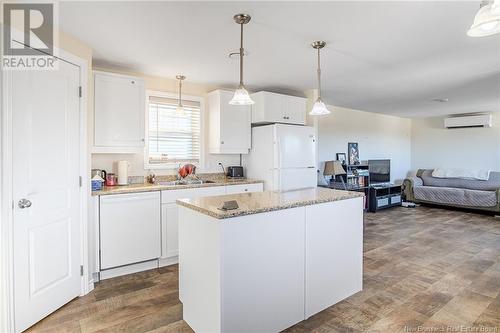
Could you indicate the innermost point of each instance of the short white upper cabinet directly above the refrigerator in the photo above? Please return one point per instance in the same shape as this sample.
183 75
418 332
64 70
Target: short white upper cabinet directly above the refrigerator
278 108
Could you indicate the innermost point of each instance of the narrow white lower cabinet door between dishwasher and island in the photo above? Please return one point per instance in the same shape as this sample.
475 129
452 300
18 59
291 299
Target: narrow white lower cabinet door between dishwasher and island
170 247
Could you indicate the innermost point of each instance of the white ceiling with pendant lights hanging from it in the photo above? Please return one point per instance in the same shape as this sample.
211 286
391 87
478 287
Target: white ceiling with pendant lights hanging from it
387 57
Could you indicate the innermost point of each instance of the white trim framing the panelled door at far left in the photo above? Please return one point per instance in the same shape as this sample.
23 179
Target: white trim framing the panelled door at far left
6 200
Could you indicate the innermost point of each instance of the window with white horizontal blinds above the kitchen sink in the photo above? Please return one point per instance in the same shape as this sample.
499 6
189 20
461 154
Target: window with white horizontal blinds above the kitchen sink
173 136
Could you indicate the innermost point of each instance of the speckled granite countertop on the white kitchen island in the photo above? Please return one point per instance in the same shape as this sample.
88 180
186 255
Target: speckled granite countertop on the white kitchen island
260 202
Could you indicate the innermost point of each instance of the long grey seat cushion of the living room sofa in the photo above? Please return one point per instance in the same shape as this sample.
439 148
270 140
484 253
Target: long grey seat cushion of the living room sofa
456 196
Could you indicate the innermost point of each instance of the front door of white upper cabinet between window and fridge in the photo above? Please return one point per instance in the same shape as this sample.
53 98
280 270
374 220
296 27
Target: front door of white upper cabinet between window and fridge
235 126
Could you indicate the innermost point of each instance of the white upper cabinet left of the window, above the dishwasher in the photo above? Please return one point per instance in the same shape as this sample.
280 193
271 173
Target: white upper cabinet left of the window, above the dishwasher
119 112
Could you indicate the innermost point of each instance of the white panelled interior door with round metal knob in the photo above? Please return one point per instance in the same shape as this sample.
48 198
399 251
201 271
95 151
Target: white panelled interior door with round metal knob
46 190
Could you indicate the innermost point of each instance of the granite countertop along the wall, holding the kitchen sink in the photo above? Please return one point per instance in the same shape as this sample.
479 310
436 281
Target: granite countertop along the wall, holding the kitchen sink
146 187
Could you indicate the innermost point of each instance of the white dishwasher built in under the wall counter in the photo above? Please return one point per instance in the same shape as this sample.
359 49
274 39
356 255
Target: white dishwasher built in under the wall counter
129 228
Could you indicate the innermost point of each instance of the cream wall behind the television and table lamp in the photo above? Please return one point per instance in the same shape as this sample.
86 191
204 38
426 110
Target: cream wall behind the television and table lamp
379 137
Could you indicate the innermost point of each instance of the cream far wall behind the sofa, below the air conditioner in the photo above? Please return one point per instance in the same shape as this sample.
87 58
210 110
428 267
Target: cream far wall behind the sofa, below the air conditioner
434 146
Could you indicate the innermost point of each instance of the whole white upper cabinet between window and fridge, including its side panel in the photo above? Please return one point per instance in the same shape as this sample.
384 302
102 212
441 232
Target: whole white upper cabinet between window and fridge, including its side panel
229 125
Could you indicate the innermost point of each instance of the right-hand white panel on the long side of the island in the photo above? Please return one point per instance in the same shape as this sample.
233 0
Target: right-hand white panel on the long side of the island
334 253
